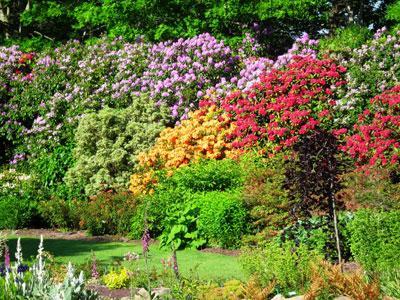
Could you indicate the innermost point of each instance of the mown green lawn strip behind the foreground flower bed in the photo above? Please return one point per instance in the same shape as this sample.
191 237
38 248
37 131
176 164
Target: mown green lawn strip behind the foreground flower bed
191 262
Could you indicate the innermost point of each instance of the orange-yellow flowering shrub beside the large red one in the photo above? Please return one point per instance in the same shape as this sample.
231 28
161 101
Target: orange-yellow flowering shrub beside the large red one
202 135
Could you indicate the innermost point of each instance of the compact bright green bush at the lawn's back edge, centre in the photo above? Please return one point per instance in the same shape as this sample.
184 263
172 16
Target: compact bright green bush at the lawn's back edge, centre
222 218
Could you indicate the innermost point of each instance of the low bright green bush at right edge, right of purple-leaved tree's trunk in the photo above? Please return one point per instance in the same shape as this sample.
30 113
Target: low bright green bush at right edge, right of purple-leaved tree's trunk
375 239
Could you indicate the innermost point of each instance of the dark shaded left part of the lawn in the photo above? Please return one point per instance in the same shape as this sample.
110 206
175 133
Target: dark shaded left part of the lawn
62 248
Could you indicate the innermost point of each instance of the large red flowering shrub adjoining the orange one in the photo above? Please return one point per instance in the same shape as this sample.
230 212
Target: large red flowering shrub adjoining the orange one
285 103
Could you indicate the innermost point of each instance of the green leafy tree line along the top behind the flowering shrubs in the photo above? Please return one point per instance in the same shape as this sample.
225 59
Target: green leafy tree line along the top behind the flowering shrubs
36 23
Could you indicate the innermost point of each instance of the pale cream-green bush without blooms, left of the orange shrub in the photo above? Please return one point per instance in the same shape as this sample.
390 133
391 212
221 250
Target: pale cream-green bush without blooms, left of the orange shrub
108 142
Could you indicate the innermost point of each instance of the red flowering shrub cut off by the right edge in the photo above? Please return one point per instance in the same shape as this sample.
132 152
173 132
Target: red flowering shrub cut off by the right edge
376 138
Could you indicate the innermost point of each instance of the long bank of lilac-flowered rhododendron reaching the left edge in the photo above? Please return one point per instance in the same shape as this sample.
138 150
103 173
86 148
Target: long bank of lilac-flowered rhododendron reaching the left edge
68 82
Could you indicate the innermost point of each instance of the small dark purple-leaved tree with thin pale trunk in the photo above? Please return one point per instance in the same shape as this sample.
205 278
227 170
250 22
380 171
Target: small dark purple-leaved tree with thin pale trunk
313 179
